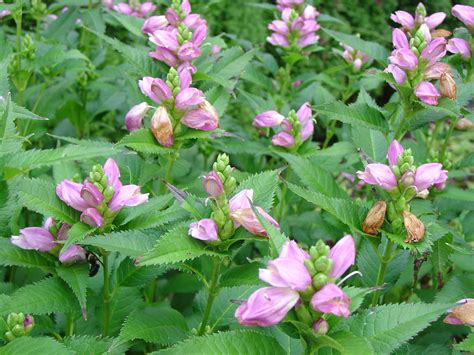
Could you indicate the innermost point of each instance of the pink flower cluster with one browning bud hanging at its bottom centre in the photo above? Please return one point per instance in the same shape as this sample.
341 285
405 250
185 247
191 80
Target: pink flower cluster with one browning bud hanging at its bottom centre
179 104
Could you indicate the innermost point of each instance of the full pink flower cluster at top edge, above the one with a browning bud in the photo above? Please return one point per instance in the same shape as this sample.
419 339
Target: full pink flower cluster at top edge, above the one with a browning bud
177 35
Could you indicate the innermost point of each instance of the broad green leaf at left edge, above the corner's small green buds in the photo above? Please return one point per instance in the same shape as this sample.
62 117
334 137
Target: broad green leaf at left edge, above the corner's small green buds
44 297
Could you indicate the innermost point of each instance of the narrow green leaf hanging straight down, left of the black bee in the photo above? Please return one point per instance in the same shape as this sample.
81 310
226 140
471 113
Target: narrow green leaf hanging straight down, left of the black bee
77 277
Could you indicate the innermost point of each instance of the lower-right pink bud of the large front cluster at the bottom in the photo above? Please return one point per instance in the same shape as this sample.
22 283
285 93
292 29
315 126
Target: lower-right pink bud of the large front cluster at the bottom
331 299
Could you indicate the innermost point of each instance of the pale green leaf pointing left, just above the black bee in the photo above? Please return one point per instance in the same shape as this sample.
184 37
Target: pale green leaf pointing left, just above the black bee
130 243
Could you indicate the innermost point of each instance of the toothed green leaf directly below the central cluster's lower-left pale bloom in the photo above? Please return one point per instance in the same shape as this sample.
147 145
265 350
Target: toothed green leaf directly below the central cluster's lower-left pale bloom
176 246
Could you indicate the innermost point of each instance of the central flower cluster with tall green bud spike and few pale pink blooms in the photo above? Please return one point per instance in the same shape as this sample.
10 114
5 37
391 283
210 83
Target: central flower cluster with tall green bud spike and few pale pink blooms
227 215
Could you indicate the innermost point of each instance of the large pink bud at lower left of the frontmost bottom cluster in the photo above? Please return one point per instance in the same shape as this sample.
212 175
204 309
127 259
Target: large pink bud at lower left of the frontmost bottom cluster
267 306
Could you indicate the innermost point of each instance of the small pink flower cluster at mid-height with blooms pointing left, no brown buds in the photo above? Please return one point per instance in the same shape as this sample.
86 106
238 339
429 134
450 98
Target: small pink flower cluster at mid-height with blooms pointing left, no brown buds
295 129
